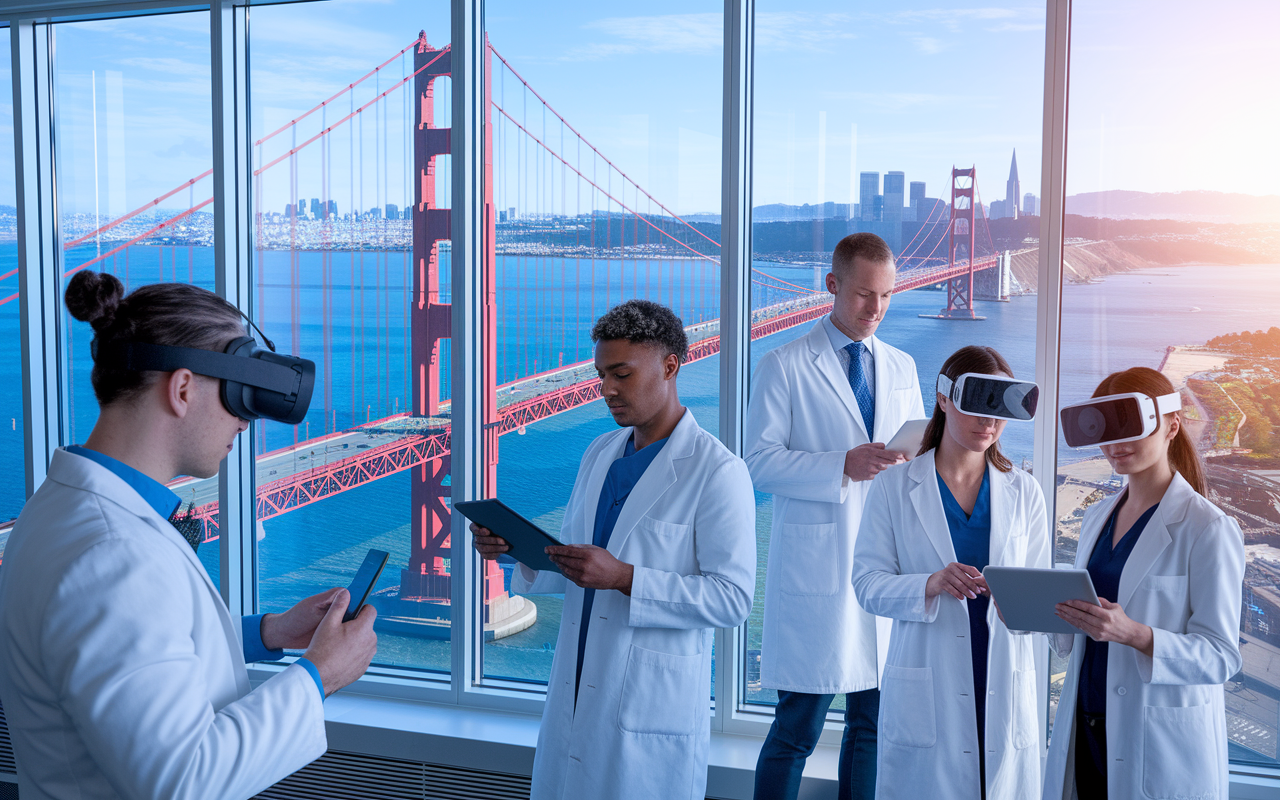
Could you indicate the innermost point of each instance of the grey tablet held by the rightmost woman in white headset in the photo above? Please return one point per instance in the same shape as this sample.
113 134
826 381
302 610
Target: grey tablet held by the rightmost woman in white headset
1027 597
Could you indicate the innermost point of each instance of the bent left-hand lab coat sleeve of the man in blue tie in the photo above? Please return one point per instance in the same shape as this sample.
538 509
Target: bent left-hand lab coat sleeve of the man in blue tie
776 468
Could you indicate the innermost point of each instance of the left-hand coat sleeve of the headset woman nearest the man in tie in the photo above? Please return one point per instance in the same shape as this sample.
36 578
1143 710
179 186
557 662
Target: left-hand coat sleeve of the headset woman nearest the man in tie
880 584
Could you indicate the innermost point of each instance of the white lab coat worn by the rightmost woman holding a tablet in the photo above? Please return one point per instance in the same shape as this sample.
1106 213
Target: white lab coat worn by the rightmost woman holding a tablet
1167 715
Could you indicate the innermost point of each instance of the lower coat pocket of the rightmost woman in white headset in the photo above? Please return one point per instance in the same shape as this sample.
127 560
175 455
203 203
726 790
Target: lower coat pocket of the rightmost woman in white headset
1180 756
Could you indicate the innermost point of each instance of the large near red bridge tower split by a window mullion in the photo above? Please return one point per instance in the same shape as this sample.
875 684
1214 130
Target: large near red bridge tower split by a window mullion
427 579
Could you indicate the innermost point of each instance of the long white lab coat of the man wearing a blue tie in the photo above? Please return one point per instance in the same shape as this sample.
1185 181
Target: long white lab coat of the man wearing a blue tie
802 420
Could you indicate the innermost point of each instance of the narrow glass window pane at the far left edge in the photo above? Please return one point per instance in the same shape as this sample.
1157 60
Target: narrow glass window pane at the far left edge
13 487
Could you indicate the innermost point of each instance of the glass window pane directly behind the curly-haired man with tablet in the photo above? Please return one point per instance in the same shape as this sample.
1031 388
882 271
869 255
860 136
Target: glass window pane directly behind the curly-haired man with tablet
606 134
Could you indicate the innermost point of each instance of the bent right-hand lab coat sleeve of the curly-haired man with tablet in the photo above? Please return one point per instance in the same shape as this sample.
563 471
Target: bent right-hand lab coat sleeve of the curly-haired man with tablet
720 593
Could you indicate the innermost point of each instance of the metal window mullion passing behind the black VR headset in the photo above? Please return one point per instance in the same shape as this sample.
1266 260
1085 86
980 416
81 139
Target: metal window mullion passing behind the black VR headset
232 263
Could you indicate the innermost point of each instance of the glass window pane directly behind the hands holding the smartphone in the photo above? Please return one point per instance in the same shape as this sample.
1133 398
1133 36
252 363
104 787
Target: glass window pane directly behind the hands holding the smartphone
351 269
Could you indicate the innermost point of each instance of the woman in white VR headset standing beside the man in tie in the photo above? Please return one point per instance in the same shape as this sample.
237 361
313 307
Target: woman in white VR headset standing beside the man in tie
958 711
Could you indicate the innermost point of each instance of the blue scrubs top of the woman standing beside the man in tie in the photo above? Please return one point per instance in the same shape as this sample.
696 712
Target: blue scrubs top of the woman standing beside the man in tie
971 537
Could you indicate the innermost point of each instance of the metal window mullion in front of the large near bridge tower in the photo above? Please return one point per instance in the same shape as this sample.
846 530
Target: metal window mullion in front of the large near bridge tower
468 458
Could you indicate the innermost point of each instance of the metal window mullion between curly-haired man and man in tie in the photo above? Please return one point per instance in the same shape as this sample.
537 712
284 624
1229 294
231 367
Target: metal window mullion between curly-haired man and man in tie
735 290
